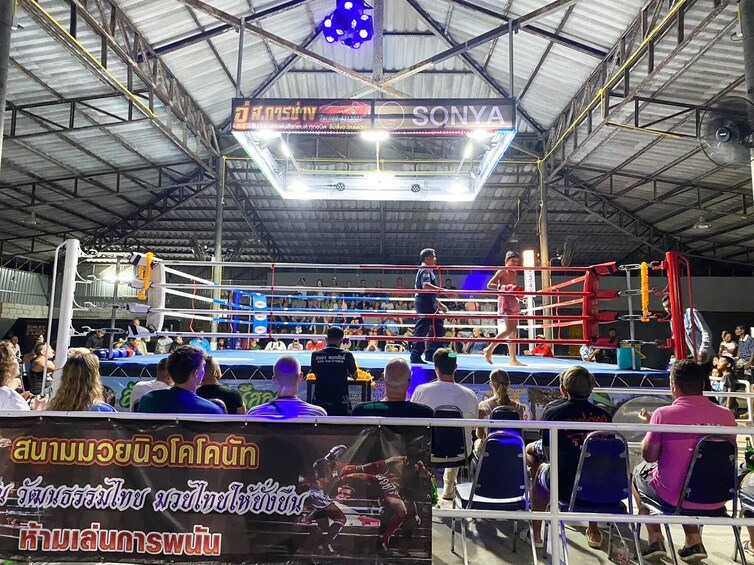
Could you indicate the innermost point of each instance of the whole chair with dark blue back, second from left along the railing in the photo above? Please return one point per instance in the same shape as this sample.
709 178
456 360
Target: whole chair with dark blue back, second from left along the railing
501 482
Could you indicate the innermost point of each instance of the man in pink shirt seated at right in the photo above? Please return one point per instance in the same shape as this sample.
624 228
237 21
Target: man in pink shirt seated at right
667 456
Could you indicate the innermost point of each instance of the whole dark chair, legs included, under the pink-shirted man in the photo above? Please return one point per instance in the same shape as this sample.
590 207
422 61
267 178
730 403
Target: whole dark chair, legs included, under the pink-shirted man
714 458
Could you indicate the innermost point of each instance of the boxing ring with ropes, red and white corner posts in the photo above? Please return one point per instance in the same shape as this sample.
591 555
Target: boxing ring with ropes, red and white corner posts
569 313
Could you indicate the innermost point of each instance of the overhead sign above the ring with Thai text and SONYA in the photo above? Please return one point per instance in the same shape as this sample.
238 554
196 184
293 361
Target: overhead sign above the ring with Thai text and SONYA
418 117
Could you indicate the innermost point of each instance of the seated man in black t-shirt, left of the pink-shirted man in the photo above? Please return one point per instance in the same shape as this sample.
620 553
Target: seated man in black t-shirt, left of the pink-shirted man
576 384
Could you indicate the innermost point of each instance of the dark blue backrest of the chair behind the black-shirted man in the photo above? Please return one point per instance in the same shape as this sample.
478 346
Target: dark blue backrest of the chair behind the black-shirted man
602 475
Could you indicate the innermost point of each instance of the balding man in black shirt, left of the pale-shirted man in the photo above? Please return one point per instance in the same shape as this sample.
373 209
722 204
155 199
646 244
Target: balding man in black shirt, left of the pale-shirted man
397 378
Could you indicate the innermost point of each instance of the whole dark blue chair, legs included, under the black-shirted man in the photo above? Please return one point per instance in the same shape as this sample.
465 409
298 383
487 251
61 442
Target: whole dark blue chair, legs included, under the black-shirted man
603 481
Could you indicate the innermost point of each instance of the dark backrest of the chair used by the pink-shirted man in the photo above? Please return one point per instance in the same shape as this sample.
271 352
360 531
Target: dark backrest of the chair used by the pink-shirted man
712 473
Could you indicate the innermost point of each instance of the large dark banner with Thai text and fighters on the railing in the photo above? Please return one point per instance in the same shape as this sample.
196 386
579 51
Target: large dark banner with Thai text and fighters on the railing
89 488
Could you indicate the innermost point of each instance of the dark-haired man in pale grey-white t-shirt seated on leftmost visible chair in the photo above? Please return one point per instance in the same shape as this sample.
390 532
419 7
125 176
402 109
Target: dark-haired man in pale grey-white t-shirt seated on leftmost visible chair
445 391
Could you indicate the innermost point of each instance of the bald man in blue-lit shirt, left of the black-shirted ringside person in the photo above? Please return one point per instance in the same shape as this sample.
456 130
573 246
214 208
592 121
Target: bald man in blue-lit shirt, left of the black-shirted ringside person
286 374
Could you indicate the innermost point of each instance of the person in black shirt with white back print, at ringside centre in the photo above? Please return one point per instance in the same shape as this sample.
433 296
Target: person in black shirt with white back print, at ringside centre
333 367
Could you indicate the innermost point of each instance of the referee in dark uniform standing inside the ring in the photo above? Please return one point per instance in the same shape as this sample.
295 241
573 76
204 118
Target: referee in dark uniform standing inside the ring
427 303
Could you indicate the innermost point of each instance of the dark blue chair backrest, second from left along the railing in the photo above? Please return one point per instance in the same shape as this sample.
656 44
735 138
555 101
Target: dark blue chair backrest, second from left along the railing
501 470
